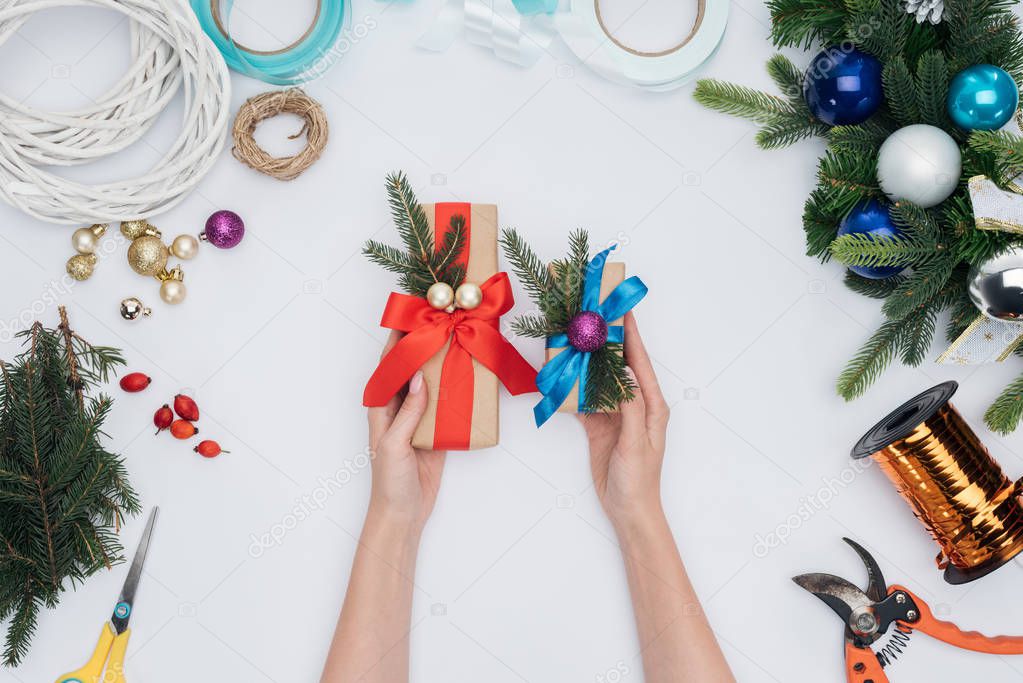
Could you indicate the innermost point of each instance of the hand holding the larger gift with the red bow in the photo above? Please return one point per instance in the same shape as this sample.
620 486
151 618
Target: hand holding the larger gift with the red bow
406 480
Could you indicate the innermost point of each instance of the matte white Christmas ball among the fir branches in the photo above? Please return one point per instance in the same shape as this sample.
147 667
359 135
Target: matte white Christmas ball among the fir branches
920 164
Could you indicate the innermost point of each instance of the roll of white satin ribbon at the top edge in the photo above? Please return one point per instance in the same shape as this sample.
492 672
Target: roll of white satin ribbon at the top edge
585 31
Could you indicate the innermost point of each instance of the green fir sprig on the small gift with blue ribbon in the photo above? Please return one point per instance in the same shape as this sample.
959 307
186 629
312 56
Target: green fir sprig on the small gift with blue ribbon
557 291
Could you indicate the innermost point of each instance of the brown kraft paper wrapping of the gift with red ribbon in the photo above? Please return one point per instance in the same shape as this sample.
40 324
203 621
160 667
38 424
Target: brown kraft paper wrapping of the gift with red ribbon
485 417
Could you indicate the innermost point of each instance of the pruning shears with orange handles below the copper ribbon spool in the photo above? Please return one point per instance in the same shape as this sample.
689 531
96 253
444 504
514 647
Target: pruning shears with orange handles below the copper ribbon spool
869 615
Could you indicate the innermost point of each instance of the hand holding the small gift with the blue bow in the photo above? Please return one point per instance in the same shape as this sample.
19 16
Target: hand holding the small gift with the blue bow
627 449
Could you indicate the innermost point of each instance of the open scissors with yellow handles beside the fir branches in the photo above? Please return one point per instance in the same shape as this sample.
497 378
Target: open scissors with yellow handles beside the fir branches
114 639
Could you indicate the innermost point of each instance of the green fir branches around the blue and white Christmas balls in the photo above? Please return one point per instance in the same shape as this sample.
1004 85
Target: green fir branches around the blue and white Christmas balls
940 244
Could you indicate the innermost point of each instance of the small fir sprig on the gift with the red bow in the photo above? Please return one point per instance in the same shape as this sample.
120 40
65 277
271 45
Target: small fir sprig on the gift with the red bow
422 263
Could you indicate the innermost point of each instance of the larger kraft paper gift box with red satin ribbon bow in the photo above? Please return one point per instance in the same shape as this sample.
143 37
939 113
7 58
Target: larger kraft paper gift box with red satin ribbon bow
461 351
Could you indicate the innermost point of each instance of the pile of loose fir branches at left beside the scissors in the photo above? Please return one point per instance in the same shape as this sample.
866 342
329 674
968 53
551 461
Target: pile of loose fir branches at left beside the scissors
63 494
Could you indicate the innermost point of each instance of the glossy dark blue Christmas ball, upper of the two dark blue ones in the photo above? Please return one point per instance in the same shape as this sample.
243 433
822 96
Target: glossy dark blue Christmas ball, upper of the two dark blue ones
843 87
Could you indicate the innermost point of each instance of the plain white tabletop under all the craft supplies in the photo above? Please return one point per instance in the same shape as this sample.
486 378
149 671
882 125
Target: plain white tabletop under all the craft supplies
519 577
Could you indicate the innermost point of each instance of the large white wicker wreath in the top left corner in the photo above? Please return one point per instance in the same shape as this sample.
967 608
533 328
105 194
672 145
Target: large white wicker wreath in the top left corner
169 53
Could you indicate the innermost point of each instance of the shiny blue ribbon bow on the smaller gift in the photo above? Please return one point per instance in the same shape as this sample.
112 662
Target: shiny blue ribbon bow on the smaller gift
559 377
